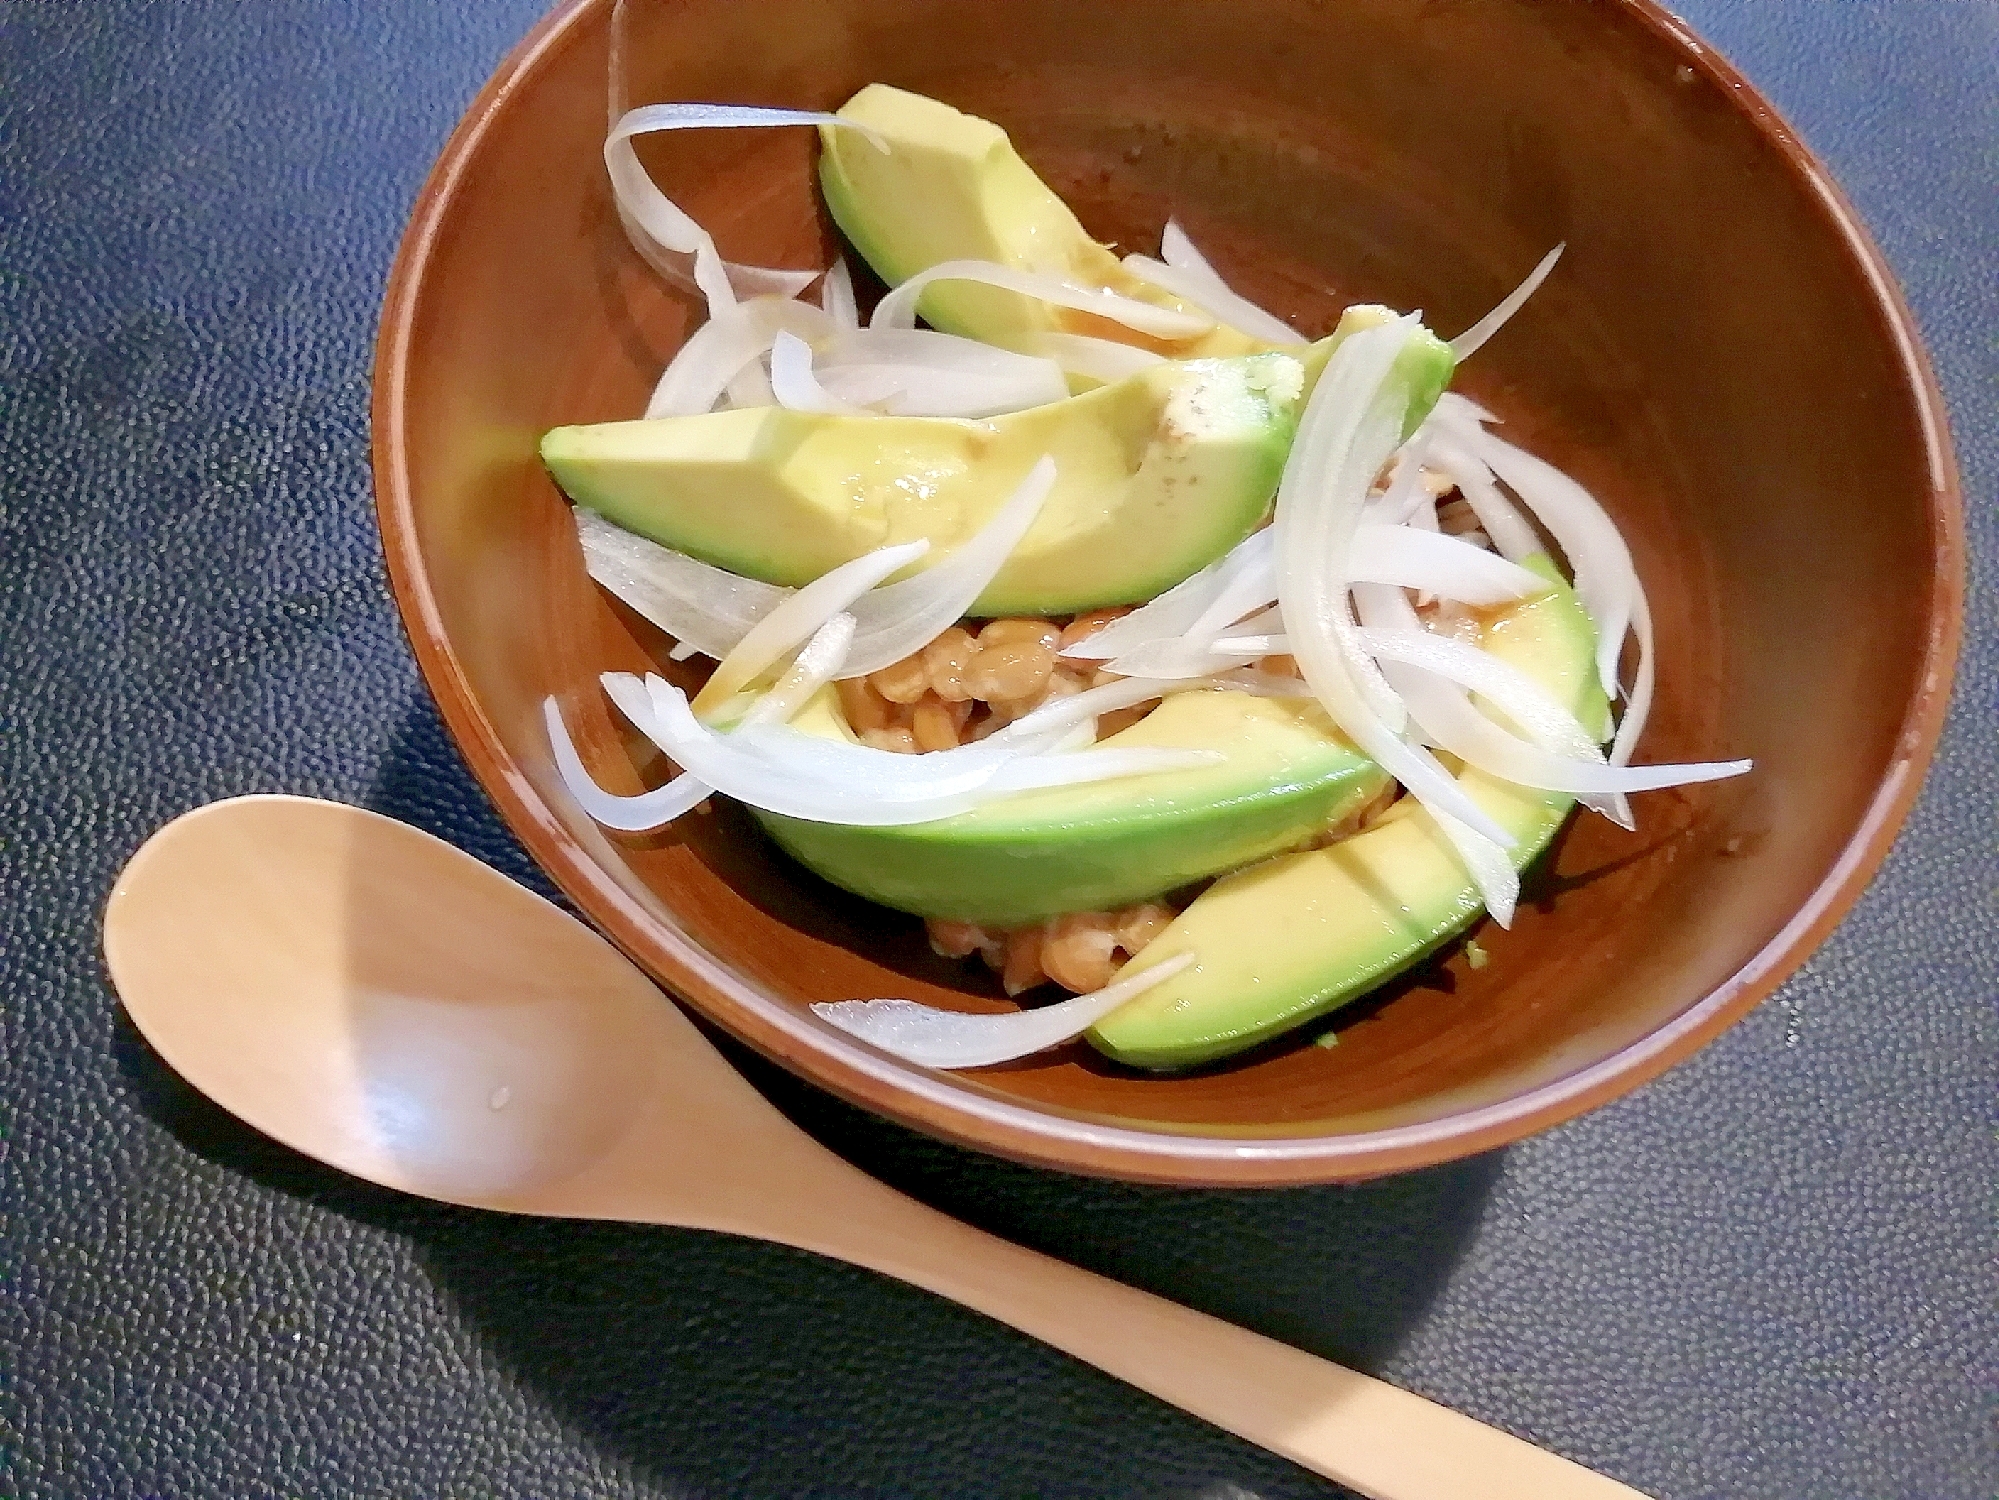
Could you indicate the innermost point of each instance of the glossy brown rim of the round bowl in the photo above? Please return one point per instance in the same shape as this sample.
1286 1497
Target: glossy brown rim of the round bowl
1024 1133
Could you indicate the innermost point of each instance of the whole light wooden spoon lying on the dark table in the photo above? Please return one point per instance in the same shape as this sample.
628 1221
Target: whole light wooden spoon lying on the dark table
391 1007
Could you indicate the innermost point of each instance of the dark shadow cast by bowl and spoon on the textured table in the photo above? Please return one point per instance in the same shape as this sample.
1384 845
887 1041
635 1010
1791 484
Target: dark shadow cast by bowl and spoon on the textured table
723 1367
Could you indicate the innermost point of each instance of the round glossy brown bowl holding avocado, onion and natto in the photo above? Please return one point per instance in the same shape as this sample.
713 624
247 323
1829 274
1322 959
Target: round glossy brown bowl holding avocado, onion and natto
1722 357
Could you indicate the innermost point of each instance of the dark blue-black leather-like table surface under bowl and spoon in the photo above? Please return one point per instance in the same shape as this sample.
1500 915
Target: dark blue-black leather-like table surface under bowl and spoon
1766 1275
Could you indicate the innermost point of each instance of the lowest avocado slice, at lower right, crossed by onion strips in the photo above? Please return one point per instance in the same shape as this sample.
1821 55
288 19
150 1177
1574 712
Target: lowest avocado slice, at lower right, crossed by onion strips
1296 937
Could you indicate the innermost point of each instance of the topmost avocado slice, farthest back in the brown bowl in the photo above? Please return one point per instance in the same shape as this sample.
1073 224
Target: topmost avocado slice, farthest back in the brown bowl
953 187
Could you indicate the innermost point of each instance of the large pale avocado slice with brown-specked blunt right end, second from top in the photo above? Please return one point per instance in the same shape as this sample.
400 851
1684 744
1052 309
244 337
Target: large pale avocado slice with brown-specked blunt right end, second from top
1158 475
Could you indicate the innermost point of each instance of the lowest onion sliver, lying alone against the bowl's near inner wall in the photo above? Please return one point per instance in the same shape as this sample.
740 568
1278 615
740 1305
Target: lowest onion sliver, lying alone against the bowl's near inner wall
955 1039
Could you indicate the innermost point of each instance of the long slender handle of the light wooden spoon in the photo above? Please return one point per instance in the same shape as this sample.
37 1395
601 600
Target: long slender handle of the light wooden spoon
1372 1437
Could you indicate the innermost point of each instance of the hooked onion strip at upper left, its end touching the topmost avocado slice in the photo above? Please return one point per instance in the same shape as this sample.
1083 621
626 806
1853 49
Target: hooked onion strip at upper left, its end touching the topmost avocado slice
663 231
